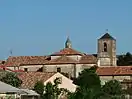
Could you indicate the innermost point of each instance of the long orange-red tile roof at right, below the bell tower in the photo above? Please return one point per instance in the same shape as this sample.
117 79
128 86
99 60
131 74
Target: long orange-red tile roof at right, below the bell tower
117 70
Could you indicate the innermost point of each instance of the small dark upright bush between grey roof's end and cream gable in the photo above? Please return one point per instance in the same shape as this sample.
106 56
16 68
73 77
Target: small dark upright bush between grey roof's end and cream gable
39 88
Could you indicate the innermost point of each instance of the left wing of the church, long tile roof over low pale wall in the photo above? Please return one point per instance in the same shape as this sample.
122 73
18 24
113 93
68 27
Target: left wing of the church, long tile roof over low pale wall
25 63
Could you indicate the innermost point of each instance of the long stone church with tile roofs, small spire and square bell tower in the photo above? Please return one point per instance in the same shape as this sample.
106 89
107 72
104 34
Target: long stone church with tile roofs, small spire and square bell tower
68 59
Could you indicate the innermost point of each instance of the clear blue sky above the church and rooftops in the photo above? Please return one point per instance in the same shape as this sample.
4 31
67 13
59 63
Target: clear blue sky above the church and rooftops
40 27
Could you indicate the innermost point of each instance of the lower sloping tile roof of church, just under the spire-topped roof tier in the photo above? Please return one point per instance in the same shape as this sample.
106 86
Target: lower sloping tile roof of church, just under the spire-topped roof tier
62 60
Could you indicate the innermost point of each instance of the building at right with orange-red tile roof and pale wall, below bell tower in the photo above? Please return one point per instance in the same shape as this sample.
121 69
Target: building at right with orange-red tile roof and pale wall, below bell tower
120 73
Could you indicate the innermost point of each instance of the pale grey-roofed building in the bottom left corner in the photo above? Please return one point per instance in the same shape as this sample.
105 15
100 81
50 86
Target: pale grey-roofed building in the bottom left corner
8 91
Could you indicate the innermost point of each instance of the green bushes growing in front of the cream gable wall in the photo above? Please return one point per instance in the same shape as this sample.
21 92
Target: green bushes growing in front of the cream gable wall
50 91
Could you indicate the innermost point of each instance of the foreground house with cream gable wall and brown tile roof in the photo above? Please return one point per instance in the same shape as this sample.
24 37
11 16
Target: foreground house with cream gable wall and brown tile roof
29 79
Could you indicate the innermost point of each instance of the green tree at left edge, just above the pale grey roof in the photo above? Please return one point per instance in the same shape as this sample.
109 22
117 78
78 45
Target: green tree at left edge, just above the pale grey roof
12 79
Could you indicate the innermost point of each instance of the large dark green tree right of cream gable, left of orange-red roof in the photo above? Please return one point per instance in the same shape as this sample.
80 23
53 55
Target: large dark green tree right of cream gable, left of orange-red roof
88 79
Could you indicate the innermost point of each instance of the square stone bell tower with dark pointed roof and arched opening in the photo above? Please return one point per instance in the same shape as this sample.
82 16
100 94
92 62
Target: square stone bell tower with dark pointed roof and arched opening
106 50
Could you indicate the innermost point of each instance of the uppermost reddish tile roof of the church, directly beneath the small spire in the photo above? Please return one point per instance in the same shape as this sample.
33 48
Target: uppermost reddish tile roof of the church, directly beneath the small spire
67 51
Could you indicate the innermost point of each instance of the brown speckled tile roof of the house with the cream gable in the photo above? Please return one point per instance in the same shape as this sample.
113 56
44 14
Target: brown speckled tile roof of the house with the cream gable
29 79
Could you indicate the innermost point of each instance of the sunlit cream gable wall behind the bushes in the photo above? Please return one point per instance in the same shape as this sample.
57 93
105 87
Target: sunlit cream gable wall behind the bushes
66 83
